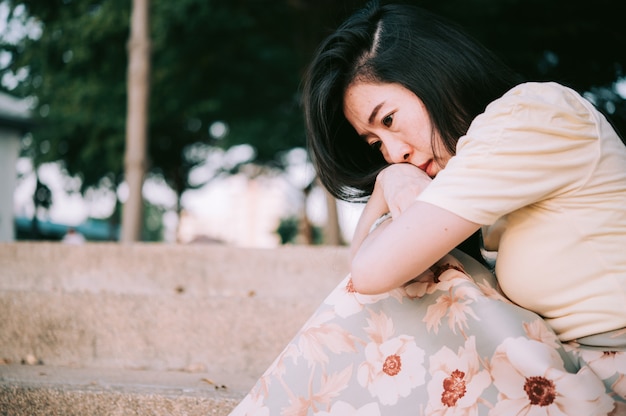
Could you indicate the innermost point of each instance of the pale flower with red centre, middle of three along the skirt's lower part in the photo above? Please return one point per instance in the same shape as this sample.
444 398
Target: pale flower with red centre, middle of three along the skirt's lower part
457 381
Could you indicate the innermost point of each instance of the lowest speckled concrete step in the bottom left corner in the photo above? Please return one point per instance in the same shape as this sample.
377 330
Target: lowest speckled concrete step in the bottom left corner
44 390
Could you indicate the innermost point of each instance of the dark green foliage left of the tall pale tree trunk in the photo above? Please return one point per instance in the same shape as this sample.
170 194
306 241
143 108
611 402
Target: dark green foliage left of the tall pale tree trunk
77 73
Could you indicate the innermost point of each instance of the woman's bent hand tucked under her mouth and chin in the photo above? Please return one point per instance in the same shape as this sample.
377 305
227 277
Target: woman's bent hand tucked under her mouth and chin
401 183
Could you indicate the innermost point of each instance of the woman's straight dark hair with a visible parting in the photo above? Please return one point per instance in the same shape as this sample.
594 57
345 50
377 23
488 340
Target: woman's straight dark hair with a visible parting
453 75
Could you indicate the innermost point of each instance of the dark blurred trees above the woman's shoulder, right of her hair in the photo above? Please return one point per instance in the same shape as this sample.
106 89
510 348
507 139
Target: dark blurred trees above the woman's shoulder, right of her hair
574 42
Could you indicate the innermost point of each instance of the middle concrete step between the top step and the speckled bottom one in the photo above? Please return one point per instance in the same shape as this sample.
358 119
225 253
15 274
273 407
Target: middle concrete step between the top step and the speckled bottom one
154 332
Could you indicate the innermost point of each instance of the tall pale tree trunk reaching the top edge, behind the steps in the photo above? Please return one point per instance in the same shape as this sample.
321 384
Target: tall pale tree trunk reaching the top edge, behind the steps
137 120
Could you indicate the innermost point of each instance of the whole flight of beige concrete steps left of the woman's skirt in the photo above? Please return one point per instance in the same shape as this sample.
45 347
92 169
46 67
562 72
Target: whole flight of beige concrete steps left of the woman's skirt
139 329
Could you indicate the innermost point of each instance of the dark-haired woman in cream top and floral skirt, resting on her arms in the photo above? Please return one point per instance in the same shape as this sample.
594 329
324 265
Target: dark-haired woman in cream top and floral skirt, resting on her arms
444 140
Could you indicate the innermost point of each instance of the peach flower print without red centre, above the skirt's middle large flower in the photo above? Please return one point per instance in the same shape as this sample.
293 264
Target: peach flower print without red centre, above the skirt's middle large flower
455 305
